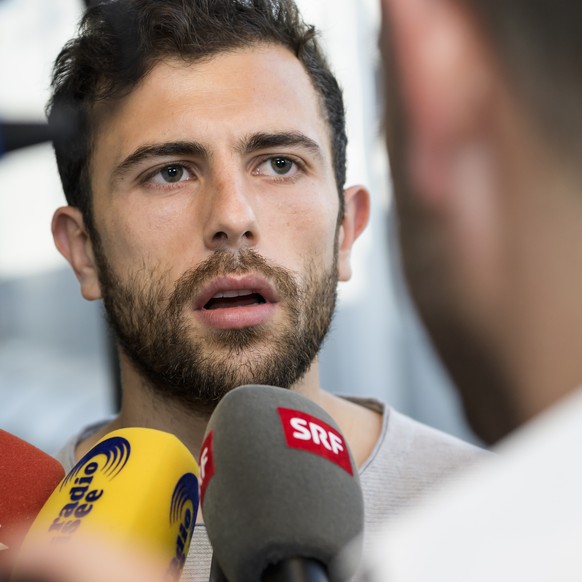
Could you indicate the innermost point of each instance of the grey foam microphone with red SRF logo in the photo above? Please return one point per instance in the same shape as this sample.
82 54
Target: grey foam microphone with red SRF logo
280 491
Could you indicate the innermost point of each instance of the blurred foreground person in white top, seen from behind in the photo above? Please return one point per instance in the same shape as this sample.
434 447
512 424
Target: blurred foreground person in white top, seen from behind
484 133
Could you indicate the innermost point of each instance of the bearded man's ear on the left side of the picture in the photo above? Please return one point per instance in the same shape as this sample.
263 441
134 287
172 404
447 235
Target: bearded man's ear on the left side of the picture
73 242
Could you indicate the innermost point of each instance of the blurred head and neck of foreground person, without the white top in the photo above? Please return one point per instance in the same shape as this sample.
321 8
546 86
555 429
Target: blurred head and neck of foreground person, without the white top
484 132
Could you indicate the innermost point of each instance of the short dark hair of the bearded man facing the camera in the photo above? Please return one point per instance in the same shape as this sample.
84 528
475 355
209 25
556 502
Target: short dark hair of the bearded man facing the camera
120 41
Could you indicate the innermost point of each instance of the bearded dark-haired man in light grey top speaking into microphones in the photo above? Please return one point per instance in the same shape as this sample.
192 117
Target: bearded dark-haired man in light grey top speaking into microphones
204 210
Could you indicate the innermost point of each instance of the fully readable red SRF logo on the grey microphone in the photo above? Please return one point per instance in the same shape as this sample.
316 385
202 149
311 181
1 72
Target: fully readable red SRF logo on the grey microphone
308 433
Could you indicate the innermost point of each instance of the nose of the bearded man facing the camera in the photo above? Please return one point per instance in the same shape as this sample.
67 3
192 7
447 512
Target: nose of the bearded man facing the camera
231 222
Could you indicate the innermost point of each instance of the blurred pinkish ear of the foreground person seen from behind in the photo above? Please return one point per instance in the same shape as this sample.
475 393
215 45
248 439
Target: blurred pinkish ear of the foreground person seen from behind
445 76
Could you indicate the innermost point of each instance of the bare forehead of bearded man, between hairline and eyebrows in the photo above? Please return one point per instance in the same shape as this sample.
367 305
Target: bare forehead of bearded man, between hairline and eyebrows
259 89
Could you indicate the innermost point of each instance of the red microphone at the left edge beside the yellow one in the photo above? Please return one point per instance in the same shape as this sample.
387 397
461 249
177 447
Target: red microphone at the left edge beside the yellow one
27 478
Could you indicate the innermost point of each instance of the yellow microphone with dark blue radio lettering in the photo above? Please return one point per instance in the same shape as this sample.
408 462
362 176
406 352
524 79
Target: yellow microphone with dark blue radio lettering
126 511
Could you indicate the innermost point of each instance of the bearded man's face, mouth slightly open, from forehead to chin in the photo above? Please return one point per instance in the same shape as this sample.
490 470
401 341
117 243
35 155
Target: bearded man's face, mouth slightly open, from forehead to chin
216 207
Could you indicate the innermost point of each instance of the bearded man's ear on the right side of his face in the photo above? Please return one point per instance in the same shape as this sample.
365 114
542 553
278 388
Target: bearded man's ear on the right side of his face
355 219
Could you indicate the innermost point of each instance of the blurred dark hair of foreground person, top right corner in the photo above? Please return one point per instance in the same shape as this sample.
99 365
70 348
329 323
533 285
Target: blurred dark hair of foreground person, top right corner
538 44
